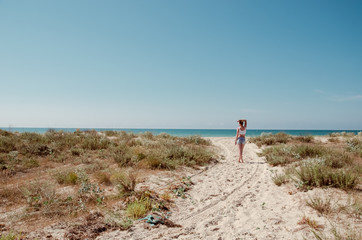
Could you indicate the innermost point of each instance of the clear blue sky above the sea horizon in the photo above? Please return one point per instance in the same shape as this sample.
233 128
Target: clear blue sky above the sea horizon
181 64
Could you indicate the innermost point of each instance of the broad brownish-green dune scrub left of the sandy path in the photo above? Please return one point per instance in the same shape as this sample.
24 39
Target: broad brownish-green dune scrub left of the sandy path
84 163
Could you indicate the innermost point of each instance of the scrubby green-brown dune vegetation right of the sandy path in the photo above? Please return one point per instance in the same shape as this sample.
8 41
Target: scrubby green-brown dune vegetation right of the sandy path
313 163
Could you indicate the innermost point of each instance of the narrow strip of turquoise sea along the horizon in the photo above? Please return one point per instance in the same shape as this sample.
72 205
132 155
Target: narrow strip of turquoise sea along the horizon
188 132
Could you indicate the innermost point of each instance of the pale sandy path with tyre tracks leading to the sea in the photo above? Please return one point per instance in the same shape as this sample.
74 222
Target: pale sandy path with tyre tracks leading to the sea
230 200
